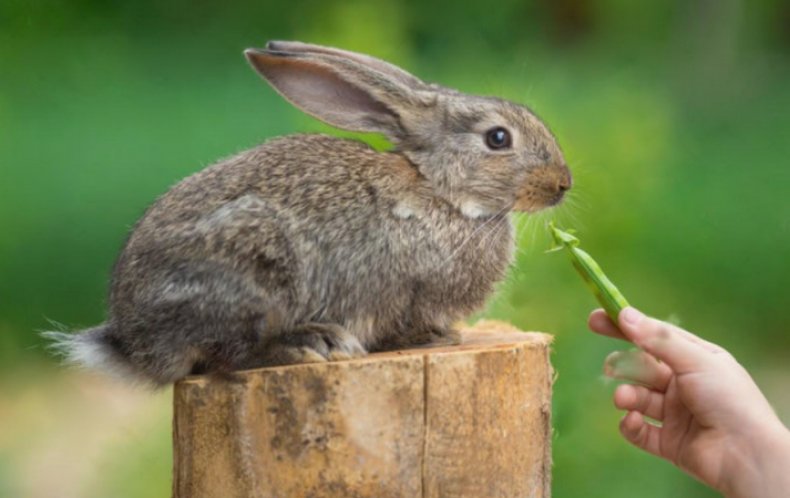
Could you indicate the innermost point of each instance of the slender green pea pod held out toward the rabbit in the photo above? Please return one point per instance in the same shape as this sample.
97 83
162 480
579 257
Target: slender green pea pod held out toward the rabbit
604 290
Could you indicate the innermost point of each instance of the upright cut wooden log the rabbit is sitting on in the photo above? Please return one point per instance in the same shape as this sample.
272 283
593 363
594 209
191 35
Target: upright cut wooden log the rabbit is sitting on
471 420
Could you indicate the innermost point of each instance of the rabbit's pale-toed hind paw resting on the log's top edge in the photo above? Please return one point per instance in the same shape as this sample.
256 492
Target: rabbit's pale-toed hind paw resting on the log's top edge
313 342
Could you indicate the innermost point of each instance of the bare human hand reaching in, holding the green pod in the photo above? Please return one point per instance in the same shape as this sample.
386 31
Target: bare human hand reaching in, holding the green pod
715 423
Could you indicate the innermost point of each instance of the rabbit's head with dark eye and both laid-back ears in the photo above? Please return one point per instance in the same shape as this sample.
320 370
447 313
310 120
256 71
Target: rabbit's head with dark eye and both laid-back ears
482 154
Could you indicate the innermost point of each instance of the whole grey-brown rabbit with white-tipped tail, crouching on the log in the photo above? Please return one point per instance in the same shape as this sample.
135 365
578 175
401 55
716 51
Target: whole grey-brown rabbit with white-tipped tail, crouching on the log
310 248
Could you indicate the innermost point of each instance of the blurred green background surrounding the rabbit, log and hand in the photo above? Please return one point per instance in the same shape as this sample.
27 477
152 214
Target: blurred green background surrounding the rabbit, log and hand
674 116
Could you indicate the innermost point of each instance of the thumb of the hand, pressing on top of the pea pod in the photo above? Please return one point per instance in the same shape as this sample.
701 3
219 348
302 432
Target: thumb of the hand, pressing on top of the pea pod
662 340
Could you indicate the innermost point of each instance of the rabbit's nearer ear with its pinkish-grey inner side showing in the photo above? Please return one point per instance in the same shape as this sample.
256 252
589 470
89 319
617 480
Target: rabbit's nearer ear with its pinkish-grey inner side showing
337 90
